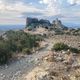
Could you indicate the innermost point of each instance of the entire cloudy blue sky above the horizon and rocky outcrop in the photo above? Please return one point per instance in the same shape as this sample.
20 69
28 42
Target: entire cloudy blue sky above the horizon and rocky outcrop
16 11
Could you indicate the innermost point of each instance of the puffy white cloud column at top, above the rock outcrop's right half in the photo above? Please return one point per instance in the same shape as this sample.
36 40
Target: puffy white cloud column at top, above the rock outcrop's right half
52 7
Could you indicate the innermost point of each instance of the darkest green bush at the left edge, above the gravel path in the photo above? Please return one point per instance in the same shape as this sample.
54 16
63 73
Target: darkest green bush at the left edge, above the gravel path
5 53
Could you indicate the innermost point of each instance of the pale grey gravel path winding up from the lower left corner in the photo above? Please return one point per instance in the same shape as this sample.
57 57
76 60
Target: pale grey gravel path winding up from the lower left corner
15 70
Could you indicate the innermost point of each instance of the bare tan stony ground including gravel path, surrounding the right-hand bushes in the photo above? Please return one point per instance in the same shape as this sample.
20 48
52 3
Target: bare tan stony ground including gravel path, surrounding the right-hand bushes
24 67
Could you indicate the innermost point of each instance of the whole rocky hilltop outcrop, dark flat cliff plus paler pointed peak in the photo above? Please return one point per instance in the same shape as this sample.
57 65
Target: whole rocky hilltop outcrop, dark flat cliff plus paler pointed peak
35 22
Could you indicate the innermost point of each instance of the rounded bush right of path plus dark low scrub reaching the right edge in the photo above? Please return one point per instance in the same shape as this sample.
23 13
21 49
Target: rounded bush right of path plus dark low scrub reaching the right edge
62 46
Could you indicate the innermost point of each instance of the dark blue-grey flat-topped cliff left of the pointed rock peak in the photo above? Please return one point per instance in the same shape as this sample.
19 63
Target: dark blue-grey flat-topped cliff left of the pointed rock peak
34 22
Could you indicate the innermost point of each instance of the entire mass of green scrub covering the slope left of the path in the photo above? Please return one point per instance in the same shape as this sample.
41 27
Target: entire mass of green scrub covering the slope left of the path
17 41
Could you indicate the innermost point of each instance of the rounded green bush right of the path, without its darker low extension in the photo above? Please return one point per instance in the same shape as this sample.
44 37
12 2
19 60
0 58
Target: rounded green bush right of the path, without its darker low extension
60 46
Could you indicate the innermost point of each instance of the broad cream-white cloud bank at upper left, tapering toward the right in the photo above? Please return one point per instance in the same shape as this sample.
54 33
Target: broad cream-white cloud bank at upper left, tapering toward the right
16 9
